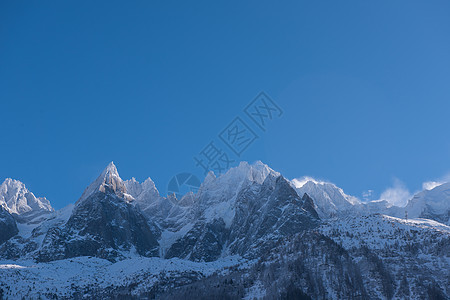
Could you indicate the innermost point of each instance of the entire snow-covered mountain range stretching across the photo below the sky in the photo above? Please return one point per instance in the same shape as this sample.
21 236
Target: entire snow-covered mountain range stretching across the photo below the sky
248 233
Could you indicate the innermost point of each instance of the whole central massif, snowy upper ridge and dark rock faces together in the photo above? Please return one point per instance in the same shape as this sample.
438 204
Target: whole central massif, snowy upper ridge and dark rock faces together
263 209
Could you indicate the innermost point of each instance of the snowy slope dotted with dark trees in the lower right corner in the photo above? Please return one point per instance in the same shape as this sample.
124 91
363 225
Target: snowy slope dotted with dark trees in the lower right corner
411 257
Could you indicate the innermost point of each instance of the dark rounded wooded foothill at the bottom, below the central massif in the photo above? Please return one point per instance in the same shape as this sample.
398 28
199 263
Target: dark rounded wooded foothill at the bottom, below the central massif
313 268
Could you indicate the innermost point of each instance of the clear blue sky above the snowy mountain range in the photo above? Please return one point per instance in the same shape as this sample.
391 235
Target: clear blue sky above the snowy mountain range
364 86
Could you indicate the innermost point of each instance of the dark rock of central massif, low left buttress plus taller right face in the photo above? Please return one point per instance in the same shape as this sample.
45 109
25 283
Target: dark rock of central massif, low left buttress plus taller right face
263 214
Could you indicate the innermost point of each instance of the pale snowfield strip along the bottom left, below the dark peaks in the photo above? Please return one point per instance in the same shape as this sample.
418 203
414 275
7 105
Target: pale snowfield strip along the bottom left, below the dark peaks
63 278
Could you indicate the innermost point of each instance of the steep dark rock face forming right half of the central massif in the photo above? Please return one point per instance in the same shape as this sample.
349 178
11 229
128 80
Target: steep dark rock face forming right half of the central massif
265 213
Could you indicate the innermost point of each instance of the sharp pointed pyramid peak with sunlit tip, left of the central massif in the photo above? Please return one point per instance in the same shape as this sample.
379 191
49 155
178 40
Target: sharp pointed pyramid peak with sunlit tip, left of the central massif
103 224
